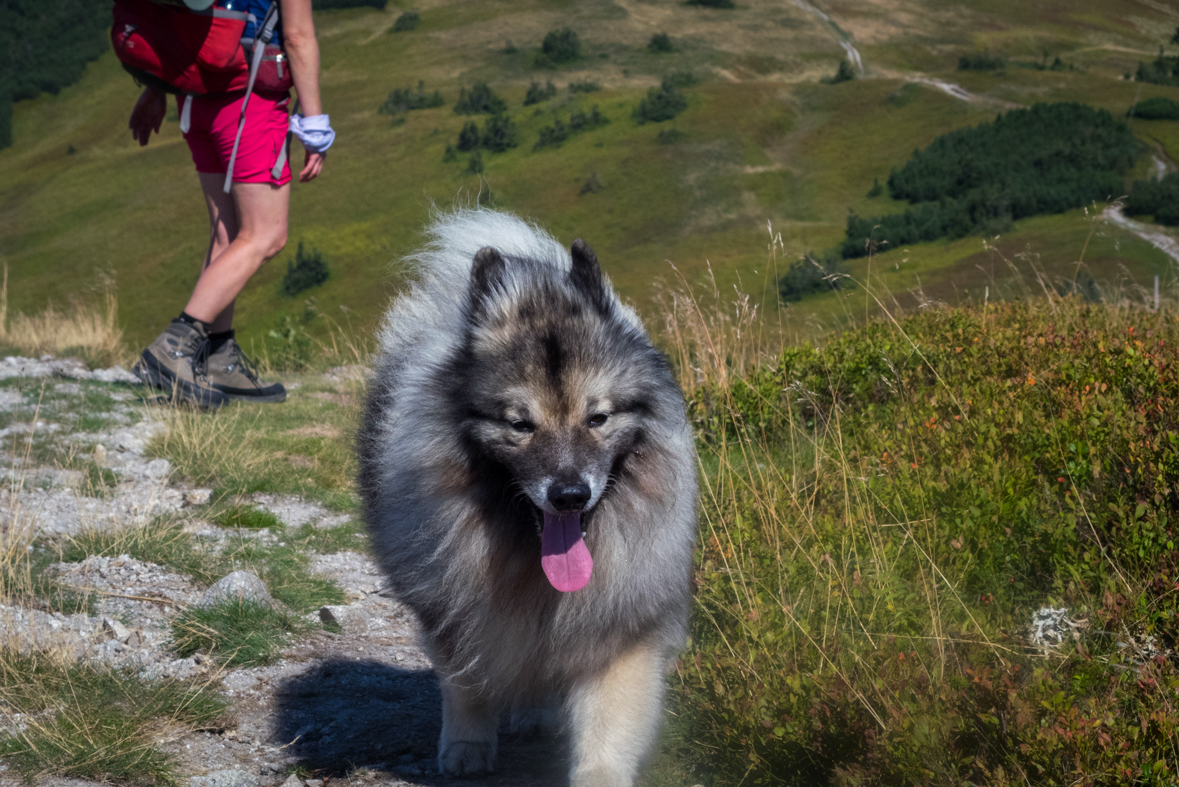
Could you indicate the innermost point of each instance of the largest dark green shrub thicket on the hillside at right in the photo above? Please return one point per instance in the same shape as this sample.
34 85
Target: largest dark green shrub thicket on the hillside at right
1046 160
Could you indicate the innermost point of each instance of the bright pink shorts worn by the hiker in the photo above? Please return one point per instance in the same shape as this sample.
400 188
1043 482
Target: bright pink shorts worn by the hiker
213 129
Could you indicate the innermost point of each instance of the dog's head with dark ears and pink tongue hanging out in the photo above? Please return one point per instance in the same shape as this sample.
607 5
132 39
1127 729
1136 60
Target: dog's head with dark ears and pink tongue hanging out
561 385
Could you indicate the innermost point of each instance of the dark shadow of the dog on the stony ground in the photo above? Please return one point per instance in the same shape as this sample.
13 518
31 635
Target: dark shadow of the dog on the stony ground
346 716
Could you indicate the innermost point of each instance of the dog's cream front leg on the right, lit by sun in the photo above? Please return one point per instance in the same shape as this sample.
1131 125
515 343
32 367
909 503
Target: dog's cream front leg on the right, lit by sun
615 720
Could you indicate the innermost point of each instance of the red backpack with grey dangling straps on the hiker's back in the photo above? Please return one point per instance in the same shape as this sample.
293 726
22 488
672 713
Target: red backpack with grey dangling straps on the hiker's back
189 52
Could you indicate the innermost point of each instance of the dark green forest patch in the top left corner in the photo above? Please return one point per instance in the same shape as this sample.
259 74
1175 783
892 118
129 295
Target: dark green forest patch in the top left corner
45 48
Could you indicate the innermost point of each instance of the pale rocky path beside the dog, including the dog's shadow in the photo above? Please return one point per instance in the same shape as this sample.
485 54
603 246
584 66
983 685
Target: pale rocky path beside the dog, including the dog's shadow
360 706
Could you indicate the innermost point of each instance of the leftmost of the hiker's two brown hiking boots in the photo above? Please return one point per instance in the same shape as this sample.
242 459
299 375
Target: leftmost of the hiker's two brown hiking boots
176 363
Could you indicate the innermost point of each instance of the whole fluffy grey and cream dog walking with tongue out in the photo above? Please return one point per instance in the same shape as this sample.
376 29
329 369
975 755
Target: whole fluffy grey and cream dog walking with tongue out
529 479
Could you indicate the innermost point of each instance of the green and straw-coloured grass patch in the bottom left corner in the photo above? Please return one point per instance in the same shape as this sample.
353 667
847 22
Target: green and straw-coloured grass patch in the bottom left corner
94 723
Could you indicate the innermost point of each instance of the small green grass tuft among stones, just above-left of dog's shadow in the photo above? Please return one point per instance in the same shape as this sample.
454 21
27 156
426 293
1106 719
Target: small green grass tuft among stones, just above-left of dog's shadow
235 633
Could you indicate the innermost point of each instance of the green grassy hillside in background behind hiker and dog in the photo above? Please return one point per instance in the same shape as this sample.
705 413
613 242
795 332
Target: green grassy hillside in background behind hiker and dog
762 142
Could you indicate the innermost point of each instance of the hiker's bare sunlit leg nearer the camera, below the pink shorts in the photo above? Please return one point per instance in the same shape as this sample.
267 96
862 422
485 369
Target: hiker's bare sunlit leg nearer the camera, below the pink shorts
261 234
